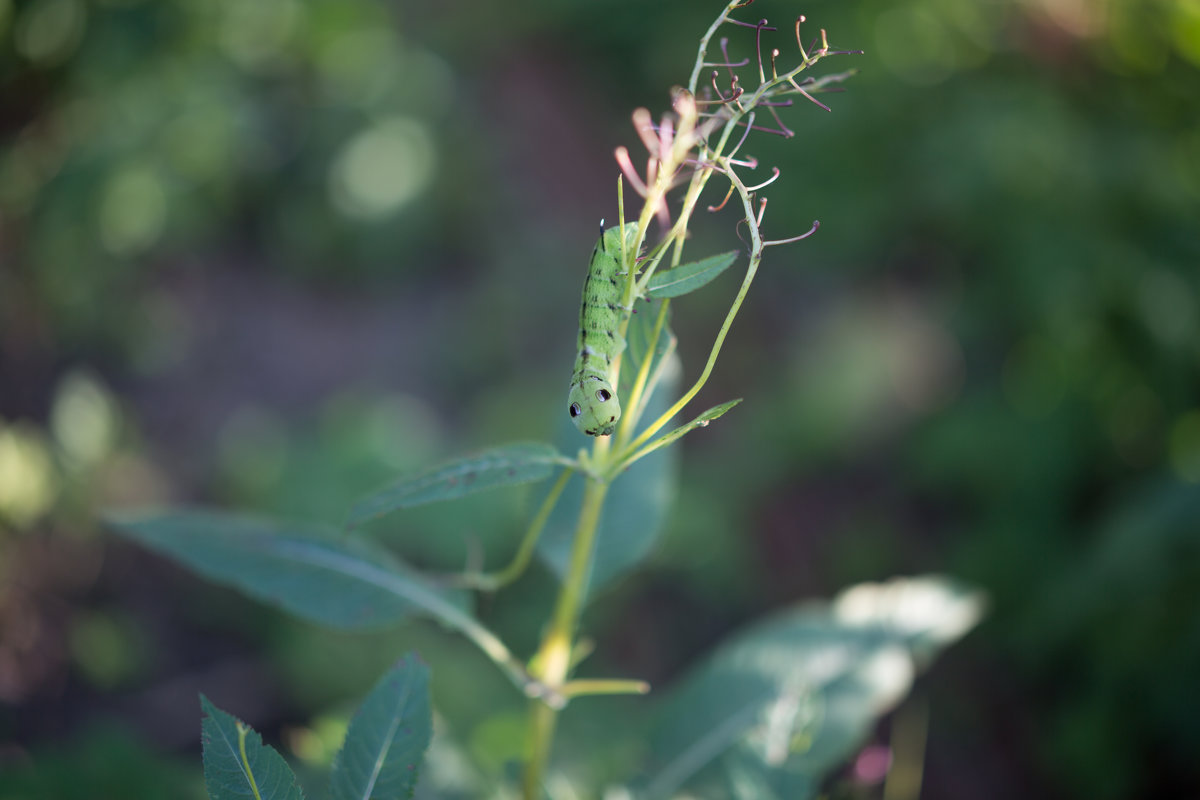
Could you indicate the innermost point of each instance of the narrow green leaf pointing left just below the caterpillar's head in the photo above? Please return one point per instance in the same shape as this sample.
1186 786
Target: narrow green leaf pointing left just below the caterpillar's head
517 464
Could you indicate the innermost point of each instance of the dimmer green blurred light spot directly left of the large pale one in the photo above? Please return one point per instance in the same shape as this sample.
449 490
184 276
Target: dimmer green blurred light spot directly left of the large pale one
133 210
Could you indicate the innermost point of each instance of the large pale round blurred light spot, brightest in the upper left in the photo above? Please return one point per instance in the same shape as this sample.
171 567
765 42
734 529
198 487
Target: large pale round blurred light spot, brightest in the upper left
382 169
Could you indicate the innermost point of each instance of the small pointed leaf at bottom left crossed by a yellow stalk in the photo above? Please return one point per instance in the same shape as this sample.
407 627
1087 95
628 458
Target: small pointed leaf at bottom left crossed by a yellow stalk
238 766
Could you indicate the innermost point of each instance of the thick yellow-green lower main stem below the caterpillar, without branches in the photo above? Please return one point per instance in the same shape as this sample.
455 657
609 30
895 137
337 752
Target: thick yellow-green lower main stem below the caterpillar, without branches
554 660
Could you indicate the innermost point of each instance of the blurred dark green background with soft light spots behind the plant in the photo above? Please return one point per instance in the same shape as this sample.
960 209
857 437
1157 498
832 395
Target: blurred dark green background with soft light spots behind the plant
266 255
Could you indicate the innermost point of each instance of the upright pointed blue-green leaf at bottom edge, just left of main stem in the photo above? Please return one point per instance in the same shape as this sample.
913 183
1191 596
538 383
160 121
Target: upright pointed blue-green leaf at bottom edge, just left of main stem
387 738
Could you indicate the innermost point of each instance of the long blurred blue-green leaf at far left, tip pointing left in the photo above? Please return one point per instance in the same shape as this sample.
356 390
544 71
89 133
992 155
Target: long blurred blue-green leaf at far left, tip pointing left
335 580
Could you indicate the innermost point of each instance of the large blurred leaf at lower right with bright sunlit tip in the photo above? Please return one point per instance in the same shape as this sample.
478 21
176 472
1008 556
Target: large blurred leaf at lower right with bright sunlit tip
793 697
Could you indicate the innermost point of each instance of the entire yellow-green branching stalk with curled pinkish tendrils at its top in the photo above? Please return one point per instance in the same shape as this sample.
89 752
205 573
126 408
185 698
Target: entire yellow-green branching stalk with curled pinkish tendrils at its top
705 136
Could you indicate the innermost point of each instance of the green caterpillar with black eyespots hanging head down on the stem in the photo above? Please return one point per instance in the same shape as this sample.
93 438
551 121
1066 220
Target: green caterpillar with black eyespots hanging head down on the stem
593 402
